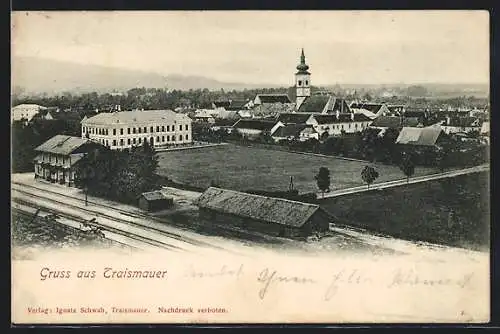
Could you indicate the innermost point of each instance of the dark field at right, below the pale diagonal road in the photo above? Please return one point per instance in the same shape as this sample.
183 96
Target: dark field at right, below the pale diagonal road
452 211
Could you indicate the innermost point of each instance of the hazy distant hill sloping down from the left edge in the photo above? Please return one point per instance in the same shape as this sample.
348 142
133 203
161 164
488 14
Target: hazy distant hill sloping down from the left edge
38 75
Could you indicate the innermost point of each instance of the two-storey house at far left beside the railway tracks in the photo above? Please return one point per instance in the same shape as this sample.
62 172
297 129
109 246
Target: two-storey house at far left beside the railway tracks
58 158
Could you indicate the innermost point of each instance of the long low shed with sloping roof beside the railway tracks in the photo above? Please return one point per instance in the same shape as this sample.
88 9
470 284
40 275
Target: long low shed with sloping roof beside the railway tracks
275 216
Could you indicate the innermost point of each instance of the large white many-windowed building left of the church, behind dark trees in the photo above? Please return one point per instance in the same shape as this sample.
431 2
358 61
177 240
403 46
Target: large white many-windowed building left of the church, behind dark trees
120 130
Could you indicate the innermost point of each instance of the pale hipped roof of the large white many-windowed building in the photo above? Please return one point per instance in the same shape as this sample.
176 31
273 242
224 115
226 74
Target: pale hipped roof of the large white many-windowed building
127 117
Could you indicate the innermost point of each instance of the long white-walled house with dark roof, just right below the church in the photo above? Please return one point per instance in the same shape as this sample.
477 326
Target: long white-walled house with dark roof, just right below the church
340 123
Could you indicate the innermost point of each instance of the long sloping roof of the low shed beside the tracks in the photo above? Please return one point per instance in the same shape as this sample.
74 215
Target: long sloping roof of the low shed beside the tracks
267 209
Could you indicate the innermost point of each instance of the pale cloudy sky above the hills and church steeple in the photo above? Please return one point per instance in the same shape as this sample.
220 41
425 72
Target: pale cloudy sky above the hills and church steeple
263 47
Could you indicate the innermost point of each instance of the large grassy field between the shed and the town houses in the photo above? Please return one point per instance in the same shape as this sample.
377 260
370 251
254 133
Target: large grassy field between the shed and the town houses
244 168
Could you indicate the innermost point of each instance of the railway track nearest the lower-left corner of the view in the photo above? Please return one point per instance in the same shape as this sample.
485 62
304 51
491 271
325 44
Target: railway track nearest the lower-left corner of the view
149 242
